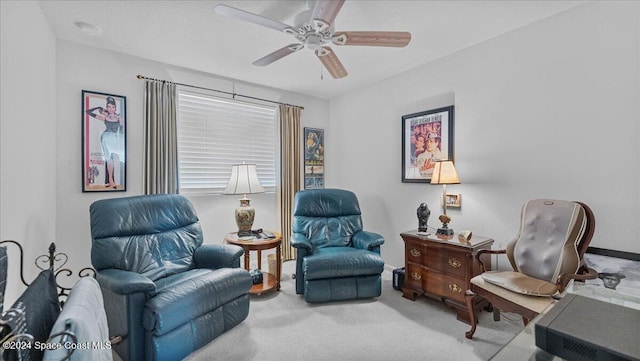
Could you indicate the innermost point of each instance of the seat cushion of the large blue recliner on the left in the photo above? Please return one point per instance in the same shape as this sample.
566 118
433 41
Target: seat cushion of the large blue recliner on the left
191 294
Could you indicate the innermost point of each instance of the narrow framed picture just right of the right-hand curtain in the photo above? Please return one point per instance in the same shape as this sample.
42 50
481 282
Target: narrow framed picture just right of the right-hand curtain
313 158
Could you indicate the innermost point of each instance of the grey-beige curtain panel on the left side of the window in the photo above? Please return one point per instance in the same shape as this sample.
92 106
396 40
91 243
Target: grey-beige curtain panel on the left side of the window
160 162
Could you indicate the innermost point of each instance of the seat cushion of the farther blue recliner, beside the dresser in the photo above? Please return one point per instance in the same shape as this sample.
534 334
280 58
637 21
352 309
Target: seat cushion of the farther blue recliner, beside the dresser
334 262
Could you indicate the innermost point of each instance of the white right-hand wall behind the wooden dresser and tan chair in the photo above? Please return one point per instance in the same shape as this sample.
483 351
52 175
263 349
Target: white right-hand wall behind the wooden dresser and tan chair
549 110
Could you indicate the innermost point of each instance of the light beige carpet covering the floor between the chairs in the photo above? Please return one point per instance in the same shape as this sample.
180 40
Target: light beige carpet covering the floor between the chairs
282 326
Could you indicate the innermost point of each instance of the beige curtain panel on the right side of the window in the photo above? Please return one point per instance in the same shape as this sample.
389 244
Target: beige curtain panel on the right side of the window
290 163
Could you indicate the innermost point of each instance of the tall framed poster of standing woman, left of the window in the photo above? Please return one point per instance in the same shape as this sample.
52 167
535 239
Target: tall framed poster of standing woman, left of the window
104 134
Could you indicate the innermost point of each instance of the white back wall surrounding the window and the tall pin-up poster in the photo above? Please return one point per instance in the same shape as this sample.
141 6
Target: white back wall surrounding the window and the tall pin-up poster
80 67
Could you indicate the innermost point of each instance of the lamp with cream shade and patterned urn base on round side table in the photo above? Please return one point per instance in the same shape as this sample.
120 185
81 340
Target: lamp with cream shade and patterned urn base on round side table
244 180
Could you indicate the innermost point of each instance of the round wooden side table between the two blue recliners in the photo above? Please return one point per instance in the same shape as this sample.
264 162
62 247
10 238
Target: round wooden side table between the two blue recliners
269 281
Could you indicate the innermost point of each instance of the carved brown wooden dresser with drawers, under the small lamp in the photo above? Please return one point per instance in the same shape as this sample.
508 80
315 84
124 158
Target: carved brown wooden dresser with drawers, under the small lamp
442 268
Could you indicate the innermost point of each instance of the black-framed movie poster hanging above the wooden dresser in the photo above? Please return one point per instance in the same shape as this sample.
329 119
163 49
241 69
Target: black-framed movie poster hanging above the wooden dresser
426 138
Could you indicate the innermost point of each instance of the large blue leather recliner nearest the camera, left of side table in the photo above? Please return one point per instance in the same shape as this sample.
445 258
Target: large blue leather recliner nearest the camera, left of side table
164 292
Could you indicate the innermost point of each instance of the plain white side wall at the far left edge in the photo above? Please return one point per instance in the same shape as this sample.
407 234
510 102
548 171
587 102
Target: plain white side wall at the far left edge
27 136
